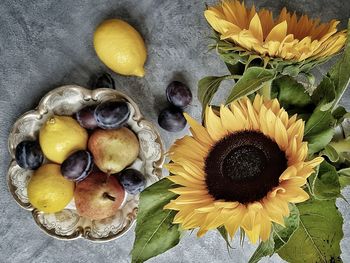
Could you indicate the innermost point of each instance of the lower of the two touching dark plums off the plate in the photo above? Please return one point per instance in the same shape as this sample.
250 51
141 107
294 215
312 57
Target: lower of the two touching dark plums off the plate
172 119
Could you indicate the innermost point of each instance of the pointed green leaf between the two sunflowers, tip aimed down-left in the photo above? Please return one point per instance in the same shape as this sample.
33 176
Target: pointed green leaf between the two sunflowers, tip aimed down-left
252 80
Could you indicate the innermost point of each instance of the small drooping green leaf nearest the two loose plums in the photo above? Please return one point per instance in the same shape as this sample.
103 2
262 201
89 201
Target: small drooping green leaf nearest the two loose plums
207 87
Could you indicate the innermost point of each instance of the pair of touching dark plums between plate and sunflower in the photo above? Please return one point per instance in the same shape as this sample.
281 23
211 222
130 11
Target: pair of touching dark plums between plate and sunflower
179 96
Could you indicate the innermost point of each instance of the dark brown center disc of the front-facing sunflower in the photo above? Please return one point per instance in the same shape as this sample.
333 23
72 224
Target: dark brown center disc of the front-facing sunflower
244 167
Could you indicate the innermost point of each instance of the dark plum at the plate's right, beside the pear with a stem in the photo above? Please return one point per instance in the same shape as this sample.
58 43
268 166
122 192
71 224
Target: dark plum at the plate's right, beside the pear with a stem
132 180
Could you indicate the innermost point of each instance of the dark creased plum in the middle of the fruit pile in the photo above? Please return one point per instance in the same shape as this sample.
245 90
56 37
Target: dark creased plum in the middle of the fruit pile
77 166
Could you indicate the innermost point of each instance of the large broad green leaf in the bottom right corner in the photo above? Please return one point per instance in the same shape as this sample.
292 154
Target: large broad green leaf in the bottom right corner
318 236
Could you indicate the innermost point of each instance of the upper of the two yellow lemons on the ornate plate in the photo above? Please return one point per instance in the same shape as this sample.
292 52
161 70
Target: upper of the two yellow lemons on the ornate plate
60 136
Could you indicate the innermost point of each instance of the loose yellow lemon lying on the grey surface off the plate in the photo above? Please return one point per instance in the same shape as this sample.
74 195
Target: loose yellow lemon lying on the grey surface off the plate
120 47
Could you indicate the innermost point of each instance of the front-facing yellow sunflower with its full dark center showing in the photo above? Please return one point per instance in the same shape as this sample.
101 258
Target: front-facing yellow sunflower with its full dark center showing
241 170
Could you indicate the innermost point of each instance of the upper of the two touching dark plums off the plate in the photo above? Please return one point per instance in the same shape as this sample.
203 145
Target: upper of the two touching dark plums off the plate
178 94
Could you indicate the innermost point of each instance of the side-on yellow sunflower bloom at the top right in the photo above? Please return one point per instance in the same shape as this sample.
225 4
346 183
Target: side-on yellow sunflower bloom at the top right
287 37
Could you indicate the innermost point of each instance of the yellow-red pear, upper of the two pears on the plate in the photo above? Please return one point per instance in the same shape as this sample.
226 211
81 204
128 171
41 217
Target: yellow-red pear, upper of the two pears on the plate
113 150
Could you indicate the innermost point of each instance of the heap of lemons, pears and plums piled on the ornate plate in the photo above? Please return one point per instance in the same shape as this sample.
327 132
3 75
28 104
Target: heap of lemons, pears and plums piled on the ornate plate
88 158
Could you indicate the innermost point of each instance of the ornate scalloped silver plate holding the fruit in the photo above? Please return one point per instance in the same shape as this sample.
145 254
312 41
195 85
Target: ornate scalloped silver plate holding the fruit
67 224
